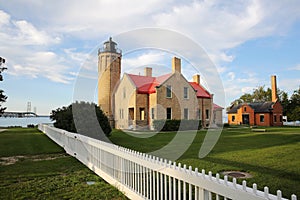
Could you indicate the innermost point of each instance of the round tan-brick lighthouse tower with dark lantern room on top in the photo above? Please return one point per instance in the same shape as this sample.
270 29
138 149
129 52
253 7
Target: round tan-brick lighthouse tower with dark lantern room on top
109 72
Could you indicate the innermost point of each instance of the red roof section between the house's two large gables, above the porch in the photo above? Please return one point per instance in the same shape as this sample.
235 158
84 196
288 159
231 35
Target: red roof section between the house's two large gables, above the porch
146 84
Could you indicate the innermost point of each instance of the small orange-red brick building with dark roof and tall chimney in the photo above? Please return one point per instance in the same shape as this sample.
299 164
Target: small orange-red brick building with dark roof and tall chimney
258 113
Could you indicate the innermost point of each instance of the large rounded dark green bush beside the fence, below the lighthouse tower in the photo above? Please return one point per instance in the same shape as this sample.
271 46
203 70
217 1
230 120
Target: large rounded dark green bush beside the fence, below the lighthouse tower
84 118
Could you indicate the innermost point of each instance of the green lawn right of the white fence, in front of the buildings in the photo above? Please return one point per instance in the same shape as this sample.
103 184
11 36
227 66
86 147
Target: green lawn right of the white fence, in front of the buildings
272 157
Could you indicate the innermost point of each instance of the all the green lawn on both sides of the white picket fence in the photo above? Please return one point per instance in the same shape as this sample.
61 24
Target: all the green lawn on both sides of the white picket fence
272 157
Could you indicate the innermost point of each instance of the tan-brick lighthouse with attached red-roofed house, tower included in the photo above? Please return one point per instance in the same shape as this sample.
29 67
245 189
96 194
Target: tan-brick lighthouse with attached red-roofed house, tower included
136 100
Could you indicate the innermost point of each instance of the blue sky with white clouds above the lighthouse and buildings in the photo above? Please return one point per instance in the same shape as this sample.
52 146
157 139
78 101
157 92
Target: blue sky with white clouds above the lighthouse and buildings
47 44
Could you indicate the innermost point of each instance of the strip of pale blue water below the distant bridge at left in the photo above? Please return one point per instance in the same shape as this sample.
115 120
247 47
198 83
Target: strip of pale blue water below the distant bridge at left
11 121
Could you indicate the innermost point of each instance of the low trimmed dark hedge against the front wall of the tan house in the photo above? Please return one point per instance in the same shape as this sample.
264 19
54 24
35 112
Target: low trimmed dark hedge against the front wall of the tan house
175 125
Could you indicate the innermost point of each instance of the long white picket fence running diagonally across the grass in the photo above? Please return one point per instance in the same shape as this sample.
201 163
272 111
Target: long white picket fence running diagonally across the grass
142 176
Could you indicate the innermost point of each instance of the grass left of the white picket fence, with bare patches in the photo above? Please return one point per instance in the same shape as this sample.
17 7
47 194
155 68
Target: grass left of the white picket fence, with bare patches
33 176
